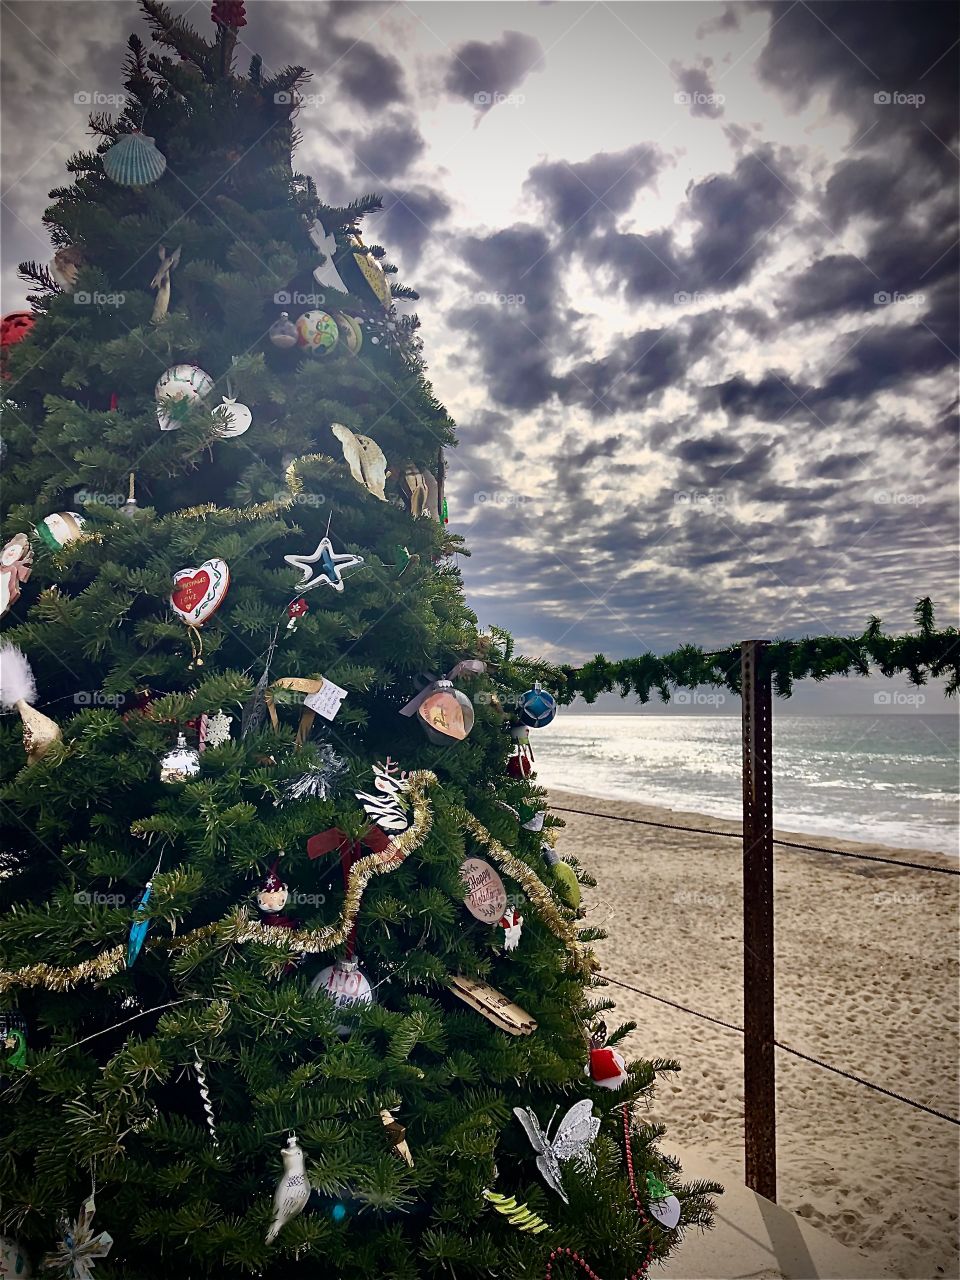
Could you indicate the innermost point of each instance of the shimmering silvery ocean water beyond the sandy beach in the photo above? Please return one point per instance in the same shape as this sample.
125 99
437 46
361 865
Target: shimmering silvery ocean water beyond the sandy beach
880 779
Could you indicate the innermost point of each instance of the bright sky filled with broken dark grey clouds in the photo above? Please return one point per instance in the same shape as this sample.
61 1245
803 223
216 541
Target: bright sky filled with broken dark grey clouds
688 278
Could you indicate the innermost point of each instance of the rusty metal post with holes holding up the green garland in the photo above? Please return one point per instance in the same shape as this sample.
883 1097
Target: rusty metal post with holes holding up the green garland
760 1080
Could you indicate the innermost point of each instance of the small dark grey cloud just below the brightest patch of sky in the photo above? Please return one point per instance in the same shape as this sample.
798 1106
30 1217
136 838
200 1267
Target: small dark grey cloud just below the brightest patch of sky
593 193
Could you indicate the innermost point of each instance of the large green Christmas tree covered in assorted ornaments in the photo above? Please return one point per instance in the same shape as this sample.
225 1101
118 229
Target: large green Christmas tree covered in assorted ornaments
284 938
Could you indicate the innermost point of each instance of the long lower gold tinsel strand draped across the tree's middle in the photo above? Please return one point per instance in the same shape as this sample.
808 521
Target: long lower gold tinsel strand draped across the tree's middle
241 929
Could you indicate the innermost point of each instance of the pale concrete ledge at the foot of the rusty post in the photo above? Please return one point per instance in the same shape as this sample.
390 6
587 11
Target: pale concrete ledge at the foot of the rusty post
756 1240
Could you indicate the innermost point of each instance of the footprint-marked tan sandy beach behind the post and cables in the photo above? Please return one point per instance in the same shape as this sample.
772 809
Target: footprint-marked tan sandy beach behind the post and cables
867 981
